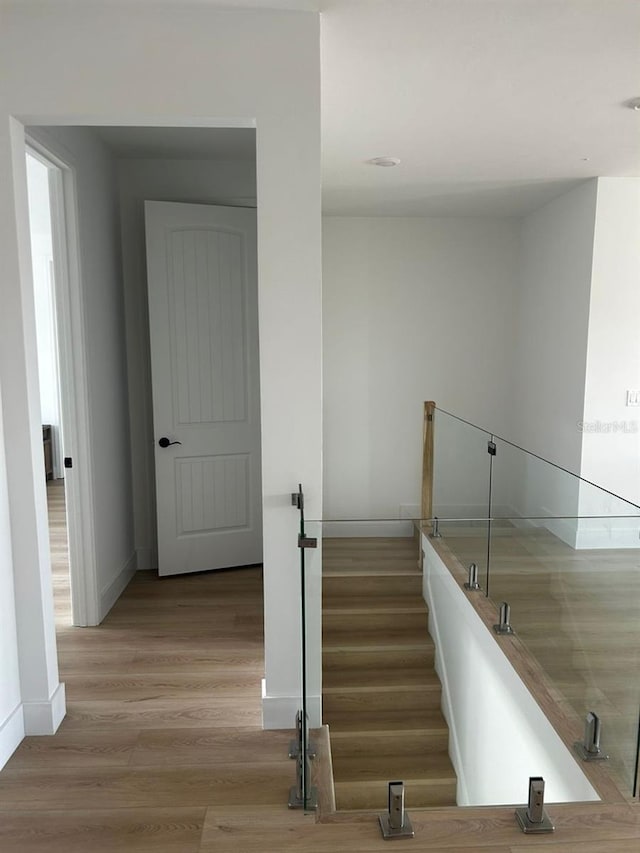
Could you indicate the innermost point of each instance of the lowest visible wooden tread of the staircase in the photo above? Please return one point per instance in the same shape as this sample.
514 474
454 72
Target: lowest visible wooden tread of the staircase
428 768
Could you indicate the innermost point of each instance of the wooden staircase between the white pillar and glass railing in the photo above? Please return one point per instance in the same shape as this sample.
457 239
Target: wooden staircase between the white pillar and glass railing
381 694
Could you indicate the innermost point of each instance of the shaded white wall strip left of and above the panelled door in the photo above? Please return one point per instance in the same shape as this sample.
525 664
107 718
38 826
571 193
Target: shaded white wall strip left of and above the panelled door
201 181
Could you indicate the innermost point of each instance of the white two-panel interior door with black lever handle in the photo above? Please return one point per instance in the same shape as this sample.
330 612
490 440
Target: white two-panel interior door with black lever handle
203 314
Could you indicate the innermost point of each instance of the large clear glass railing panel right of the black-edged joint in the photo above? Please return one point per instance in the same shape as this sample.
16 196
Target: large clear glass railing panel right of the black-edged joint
565 556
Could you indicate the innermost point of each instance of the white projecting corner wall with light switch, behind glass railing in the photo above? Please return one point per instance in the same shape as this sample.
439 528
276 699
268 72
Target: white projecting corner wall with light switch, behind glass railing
577 353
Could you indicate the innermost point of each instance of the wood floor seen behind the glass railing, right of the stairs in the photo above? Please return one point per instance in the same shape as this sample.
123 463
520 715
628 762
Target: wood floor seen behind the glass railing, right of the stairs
578 614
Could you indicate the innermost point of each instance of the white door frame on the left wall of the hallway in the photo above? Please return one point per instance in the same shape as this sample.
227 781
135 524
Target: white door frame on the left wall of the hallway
68 297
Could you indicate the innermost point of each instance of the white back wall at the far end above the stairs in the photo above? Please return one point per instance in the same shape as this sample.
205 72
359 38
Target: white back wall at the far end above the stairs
413 309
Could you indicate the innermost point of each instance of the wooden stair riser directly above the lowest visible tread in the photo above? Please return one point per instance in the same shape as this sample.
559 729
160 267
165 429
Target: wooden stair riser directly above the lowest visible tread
387 743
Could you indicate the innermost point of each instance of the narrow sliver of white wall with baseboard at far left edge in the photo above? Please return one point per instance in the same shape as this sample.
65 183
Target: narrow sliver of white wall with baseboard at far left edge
11 716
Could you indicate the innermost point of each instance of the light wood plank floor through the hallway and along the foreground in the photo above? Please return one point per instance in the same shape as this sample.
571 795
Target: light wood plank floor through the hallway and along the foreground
144 763
